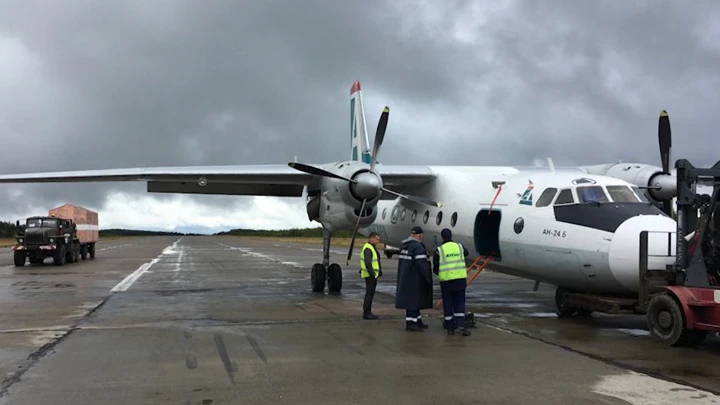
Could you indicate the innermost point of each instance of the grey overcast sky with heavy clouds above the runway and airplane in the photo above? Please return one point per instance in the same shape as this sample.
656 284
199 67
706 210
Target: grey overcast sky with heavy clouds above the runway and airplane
96 85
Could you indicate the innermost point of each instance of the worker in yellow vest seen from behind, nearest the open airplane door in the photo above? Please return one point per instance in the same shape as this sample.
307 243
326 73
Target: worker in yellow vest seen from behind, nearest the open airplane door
449 266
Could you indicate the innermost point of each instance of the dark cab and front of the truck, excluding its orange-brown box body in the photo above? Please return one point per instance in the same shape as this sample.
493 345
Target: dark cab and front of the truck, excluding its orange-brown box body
46 236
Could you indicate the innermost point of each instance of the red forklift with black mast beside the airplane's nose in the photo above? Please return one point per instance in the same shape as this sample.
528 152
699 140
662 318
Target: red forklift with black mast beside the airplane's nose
685 307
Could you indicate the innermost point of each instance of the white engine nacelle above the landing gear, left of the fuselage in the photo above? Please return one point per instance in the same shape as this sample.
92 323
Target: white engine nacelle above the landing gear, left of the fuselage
337 206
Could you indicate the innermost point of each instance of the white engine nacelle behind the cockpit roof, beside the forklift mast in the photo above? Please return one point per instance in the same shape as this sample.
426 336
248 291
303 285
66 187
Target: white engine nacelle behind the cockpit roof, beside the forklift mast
663 186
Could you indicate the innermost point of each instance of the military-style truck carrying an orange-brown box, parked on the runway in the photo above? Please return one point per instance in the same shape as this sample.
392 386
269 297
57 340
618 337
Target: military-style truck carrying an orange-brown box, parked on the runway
67 234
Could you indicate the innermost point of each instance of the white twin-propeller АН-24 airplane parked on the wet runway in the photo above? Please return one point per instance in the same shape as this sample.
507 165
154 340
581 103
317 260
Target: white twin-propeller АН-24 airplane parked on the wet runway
576 228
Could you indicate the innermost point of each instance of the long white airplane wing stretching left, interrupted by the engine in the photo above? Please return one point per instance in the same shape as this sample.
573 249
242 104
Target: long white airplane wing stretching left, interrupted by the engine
267 180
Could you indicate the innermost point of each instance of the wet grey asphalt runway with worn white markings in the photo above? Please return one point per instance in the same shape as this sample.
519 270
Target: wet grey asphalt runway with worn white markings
224 320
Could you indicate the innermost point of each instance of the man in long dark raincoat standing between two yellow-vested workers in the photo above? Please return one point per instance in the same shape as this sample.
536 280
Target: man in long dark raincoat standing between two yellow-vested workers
414 281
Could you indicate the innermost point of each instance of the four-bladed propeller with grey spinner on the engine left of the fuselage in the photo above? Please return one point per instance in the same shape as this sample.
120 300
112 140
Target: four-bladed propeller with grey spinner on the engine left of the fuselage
367 185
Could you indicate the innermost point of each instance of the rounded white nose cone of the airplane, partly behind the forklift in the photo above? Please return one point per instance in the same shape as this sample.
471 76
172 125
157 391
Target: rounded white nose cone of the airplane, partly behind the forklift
624 253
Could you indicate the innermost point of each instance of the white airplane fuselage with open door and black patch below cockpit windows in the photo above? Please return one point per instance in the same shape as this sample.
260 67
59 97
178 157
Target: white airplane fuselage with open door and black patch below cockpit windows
583 246
